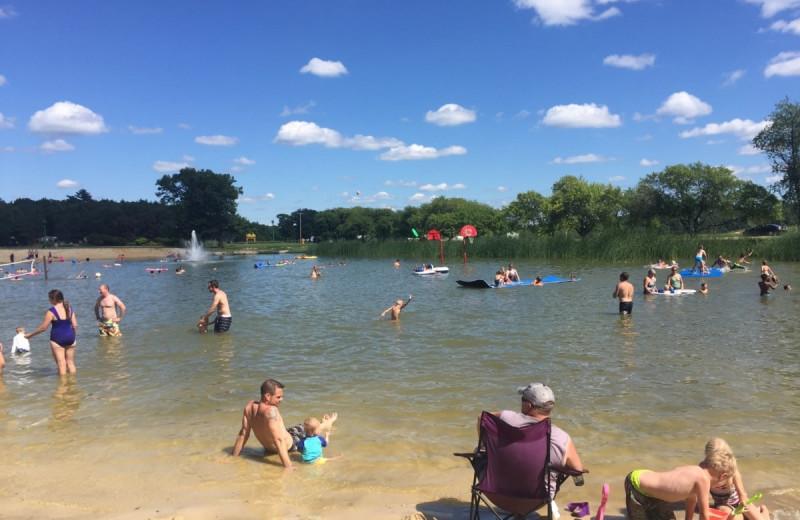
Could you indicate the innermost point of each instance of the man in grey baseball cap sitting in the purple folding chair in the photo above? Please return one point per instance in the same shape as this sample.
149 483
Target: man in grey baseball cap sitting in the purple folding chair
537 403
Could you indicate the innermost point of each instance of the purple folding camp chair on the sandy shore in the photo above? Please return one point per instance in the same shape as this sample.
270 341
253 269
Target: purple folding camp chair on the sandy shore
513 469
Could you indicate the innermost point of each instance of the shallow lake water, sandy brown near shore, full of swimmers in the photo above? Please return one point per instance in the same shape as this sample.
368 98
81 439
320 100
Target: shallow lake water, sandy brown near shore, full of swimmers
144 428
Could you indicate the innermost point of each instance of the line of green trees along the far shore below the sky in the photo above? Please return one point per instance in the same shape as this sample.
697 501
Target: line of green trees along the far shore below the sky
684 198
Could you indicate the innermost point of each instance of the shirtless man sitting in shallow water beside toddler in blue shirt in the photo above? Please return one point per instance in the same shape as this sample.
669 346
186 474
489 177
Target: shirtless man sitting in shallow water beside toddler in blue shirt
264 419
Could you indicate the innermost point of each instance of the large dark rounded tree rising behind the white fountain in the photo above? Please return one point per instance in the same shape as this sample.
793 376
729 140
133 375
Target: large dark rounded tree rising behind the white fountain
204 201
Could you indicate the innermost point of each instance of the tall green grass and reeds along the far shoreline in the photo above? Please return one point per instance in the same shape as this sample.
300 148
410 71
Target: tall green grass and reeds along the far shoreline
607 247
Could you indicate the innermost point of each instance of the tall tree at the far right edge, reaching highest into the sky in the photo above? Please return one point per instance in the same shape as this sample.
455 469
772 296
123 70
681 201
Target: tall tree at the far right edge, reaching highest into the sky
780 140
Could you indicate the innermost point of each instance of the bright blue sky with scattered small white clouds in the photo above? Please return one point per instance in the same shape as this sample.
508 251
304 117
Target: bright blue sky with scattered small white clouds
324 103
